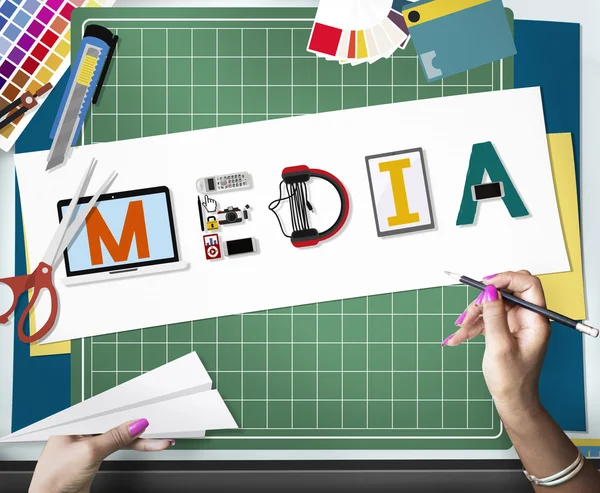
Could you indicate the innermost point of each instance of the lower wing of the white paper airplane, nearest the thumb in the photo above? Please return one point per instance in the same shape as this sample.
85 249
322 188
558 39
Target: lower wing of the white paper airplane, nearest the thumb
172 417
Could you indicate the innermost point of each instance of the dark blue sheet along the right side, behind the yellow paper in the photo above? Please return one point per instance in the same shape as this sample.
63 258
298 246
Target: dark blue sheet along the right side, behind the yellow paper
549 56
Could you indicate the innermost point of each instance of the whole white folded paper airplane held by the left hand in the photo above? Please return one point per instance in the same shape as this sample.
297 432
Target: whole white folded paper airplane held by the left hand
176 399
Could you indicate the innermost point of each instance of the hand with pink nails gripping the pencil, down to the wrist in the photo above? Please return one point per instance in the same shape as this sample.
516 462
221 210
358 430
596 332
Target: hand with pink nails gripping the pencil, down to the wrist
516 340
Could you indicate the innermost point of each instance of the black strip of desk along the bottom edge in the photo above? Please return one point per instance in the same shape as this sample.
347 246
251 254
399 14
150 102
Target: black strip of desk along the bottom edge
500 476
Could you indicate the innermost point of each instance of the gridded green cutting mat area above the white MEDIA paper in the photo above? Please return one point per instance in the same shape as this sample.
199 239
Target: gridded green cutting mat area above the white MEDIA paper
179 79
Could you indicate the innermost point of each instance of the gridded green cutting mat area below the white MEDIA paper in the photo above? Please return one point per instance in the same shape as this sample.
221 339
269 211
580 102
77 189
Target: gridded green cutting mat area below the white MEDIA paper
371 363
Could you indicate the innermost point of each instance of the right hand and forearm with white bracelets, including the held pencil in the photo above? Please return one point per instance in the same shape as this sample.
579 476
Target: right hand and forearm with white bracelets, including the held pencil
516 340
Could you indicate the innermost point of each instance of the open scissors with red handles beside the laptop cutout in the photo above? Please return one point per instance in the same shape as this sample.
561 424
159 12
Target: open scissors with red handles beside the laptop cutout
41 278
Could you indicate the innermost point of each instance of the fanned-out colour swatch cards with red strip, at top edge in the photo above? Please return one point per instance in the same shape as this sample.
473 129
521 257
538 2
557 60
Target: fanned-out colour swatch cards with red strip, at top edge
358 31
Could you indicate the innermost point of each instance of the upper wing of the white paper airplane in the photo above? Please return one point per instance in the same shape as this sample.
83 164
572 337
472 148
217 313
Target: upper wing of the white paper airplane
182 376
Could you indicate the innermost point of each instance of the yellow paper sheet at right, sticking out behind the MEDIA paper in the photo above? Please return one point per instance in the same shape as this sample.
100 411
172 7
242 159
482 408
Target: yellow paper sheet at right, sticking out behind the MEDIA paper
564 291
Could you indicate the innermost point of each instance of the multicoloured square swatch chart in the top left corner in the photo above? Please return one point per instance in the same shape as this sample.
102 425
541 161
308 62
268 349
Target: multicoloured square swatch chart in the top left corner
35 48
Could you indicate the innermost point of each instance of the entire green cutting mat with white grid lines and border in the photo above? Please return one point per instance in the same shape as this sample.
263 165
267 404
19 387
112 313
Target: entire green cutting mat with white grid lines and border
366 373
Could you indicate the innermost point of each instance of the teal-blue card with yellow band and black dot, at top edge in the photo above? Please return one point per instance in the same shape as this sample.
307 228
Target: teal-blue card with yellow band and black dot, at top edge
453 36
